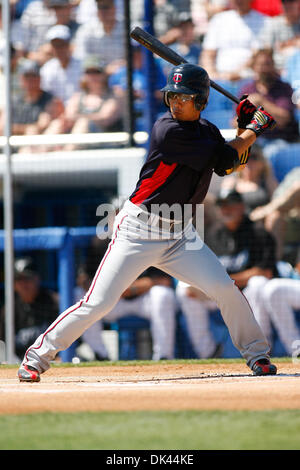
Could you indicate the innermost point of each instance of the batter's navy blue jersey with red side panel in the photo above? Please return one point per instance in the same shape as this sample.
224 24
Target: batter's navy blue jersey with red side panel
181 160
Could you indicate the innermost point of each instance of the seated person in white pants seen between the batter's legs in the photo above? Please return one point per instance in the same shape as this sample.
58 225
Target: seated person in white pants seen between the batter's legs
151 297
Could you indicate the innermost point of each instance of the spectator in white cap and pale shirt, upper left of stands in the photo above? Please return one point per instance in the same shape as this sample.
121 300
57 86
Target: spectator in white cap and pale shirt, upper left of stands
61 75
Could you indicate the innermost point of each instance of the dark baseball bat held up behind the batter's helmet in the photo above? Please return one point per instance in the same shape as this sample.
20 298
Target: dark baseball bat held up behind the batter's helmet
156 46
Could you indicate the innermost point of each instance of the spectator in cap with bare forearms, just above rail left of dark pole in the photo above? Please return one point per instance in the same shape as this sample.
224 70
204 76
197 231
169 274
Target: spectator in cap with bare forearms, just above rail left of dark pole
92 109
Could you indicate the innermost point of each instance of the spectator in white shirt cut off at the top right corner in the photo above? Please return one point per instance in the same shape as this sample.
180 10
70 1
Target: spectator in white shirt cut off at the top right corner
282 33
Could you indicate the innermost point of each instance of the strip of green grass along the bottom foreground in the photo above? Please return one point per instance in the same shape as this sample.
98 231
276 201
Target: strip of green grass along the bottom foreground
201 430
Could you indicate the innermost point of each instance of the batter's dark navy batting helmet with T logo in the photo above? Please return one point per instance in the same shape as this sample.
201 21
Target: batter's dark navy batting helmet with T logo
189 79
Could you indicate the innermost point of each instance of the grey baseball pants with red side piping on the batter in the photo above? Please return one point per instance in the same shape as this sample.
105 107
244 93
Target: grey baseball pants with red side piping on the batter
130 252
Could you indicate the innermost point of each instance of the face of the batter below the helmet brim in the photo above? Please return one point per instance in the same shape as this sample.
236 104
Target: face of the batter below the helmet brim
182 107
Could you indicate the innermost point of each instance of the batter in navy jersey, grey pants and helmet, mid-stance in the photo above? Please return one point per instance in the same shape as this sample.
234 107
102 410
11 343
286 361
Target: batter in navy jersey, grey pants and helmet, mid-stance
184 152
